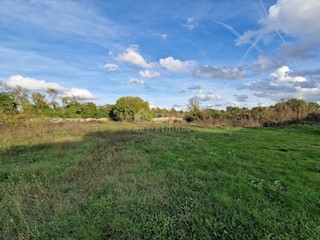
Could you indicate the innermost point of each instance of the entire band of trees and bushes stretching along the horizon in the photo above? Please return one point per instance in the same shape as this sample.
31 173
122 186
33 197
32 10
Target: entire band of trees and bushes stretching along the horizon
18 104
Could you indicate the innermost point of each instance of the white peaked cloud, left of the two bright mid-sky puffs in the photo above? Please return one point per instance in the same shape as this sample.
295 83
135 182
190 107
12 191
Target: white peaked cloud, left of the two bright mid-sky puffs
133 56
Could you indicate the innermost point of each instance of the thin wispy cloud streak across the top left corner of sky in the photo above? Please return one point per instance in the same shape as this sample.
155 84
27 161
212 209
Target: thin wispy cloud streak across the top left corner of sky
56 17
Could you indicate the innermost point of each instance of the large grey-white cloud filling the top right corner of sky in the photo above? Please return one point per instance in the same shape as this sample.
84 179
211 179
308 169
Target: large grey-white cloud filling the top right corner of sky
296 18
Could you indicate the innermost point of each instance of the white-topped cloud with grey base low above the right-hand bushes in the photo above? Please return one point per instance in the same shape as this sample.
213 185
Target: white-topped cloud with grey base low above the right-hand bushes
282 84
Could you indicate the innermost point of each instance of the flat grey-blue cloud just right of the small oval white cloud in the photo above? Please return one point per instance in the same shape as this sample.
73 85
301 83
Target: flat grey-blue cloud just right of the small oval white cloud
213 72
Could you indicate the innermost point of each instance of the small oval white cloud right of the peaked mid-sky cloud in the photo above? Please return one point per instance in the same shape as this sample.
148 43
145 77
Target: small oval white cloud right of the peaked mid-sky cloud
176 65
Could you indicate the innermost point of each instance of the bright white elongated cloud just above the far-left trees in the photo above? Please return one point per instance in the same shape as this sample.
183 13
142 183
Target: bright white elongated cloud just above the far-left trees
31 83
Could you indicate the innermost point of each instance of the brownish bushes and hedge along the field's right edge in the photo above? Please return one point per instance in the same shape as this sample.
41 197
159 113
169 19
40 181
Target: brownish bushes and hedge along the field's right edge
286 111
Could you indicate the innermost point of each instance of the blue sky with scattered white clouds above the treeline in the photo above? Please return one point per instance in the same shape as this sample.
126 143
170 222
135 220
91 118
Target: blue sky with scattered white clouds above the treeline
223 53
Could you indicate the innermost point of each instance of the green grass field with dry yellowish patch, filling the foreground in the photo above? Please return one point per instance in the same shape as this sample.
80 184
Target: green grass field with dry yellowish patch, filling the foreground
124 181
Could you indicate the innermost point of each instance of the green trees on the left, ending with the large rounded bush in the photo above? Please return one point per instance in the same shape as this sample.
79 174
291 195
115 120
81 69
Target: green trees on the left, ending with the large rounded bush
20 103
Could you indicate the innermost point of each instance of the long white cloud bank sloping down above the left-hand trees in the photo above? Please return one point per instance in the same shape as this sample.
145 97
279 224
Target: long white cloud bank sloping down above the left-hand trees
34 84
